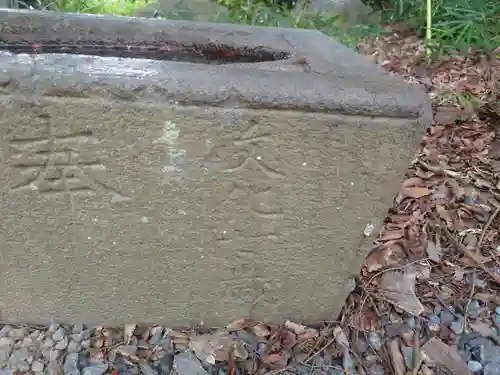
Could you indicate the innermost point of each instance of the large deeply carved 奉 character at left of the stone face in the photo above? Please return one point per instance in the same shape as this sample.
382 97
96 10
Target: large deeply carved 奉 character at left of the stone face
53 164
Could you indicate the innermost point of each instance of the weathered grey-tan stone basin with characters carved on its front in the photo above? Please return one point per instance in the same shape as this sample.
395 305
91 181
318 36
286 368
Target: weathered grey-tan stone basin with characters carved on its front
196 189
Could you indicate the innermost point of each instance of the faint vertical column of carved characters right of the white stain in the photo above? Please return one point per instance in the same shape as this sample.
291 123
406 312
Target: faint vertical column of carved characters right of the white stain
250 214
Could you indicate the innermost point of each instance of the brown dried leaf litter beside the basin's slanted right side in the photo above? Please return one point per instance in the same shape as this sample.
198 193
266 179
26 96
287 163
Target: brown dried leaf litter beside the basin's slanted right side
444 223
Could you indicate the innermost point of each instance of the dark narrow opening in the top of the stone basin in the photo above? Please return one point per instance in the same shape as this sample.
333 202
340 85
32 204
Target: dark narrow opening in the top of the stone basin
168 51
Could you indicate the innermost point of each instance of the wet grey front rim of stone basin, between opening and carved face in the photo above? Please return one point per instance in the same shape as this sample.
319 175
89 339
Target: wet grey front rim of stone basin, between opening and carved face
193 84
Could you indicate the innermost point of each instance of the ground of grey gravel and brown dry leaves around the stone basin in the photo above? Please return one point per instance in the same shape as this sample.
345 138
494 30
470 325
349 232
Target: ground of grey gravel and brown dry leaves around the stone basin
427 300
